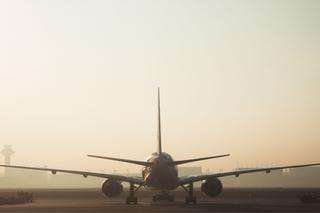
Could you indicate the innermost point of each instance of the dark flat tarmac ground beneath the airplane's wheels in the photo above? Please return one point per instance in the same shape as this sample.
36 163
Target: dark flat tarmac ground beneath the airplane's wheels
231 200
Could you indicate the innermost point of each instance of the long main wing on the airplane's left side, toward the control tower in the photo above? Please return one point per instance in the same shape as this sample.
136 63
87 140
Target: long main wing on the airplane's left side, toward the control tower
135 180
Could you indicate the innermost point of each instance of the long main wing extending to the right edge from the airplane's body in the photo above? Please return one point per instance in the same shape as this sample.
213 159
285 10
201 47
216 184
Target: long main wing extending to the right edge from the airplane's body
191 179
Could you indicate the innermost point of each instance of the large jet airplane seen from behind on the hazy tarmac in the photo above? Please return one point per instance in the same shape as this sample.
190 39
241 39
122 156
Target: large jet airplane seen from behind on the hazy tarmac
160 173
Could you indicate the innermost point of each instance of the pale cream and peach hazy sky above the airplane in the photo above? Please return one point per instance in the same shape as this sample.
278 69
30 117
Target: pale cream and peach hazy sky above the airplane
239 77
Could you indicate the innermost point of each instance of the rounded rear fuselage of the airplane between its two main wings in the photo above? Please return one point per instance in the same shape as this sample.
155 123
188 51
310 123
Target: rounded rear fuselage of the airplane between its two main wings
161 175
